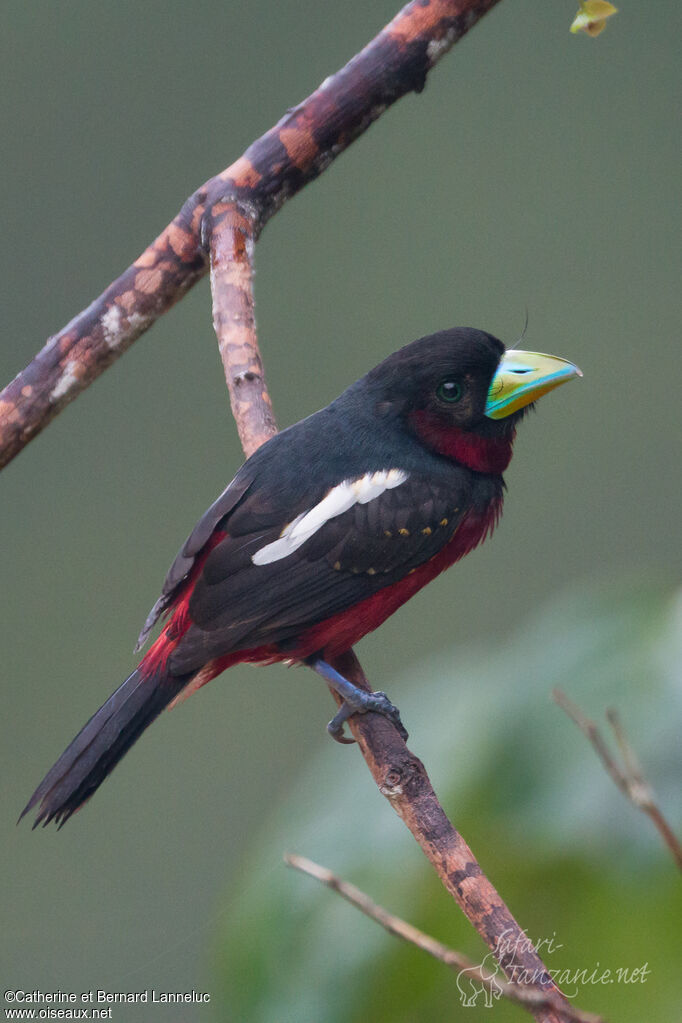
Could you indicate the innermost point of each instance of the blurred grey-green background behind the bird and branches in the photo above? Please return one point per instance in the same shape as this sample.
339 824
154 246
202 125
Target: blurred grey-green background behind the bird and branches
538 169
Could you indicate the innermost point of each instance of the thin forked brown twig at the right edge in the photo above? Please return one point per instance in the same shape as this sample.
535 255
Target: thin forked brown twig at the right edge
630 778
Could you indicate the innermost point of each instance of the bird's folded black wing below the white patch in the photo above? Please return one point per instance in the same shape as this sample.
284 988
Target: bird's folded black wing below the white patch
238 605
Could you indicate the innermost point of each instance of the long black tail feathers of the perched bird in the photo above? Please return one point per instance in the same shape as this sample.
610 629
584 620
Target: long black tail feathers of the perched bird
101 745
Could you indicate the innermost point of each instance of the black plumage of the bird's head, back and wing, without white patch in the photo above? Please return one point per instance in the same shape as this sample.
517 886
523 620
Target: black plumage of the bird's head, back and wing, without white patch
236 605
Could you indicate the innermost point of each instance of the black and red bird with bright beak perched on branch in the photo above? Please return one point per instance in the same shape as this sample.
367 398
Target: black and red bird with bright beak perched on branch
324 533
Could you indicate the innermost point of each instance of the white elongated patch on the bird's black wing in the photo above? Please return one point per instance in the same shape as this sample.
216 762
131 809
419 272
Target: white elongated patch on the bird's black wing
340 500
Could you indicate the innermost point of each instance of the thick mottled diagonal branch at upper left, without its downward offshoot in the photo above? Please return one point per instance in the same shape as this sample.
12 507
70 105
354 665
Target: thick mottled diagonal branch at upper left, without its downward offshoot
274 169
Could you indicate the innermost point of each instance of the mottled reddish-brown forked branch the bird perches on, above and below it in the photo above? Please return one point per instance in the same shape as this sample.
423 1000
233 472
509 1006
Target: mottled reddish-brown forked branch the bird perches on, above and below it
217 228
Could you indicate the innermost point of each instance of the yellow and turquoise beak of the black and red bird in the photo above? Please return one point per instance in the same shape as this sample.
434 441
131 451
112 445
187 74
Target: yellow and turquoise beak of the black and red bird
523 378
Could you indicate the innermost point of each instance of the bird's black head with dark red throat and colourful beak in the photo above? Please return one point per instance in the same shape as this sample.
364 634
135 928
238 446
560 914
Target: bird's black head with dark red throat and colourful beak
463 393
